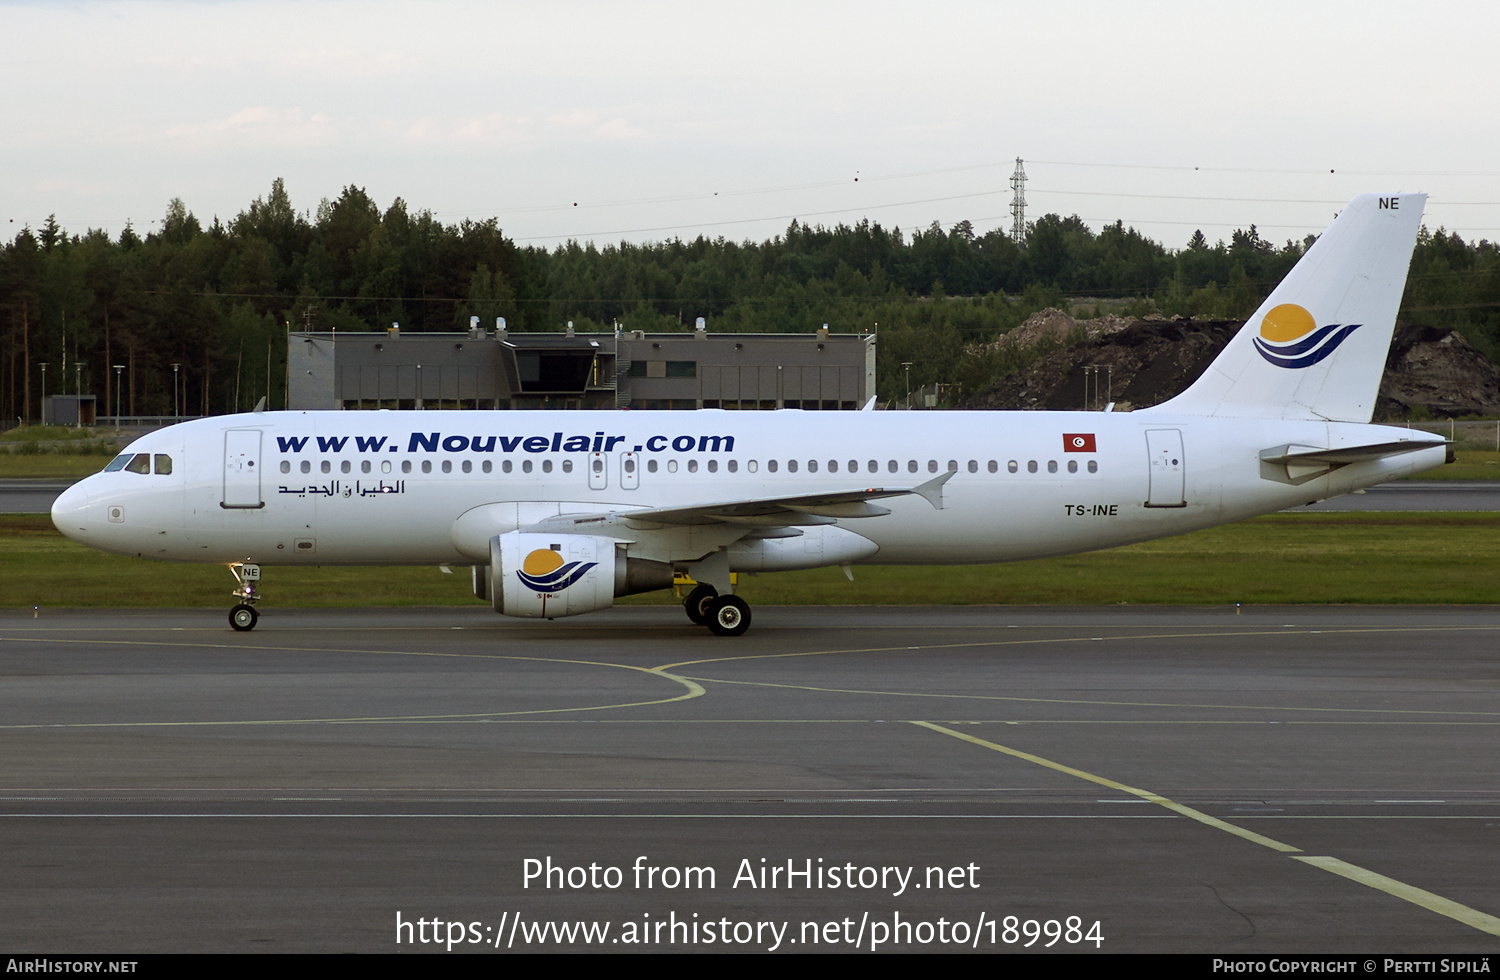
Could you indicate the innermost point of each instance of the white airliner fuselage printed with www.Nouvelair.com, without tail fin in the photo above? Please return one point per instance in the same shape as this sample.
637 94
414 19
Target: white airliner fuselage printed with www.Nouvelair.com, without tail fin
391 487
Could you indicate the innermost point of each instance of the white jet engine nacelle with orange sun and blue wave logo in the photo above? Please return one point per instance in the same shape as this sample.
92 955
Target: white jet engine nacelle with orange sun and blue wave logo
548 576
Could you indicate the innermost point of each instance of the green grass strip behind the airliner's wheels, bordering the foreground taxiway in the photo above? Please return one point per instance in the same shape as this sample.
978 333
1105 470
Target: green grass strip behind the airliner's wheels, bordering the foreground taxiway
1279 559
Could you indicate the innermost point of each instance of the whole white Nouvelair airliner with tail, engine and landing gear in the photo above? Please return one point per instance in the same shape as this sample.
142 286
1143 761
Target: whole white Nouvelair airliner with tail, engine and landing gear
560 513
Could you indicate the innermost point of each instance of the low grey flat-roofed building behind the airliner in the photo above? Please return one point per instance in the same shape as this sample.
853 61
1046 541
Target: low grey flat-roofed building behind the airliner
499 370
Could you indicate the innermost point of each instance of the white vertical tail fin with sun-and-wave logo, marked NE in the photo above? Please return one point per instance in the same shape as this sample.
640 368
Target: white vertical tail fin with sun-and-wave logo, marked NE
1318 347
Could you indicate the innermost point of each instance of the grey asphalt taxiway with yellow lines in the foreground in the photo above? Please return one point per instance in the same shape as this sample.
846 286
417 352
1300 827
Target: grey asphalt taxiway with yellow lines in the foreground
1285 780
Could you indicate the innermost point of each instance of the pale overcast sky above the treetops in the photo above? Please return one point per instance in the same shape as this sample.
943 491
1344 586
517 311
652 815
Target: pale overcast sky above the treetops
652 121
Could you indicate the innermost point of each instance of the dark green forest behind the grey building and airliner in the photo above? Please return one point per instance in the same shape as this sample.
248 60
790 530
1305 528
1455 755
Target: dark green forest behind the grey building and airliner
193 319
